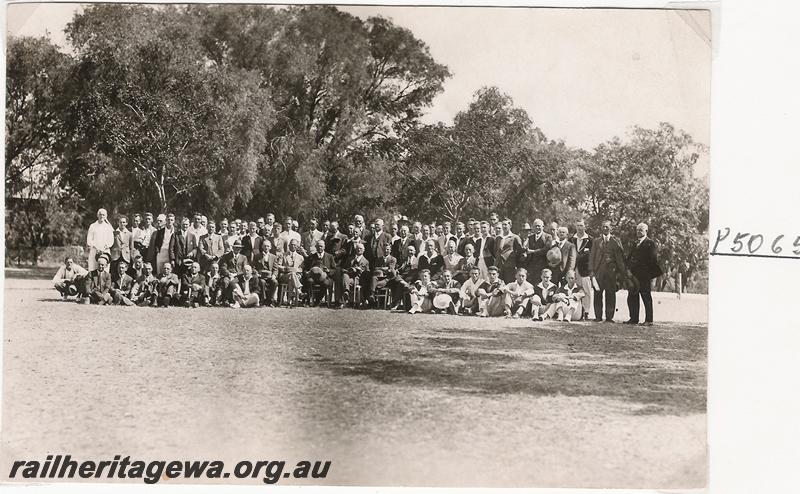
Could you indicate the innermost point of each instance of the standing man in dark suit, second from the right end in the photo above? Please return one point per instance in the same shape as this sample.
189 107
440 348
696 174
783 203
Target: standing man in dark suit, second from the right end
606 262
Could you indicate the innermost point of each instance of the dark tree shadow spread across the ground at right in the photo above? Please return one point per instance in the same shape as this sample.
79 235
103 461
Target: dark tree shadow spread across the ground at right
494 367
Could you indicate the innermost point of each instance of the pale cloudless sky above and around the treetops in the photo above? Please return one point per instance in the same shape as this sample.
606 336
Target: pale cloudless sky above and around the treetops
583 75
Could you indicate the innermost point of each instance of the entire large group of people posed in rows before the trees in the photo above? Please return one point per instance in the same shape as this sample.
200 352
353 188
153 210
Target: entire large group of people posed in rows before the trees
479 268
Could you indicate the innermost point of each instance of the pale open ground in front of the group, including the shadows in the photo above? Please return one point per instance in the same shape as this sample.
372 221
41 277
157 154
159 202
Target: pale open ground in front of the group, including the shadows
391 399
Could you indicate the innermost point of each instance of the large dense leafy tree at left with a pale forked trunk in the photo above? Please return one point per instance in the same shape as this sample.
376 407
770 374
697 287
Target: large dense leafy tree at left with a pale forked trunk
160 123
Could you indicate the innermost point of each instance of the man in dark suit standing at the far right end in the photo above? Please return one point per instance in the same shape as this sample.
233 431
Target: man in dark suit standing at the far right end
643 264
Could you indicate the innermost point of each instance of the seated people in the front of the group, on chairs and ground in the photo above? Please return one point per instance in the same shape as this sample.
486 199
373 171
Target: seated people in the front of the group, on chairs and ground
313 277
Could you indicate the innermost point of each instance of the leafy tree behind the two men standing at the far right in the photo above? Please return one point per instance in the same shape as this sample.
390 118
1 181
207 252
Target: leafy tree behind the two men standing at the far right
649 178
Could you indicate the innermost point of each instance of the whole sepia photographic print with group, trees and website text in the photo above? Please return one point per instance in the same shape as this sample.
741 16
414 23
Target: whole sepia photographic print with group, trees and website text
307 245
